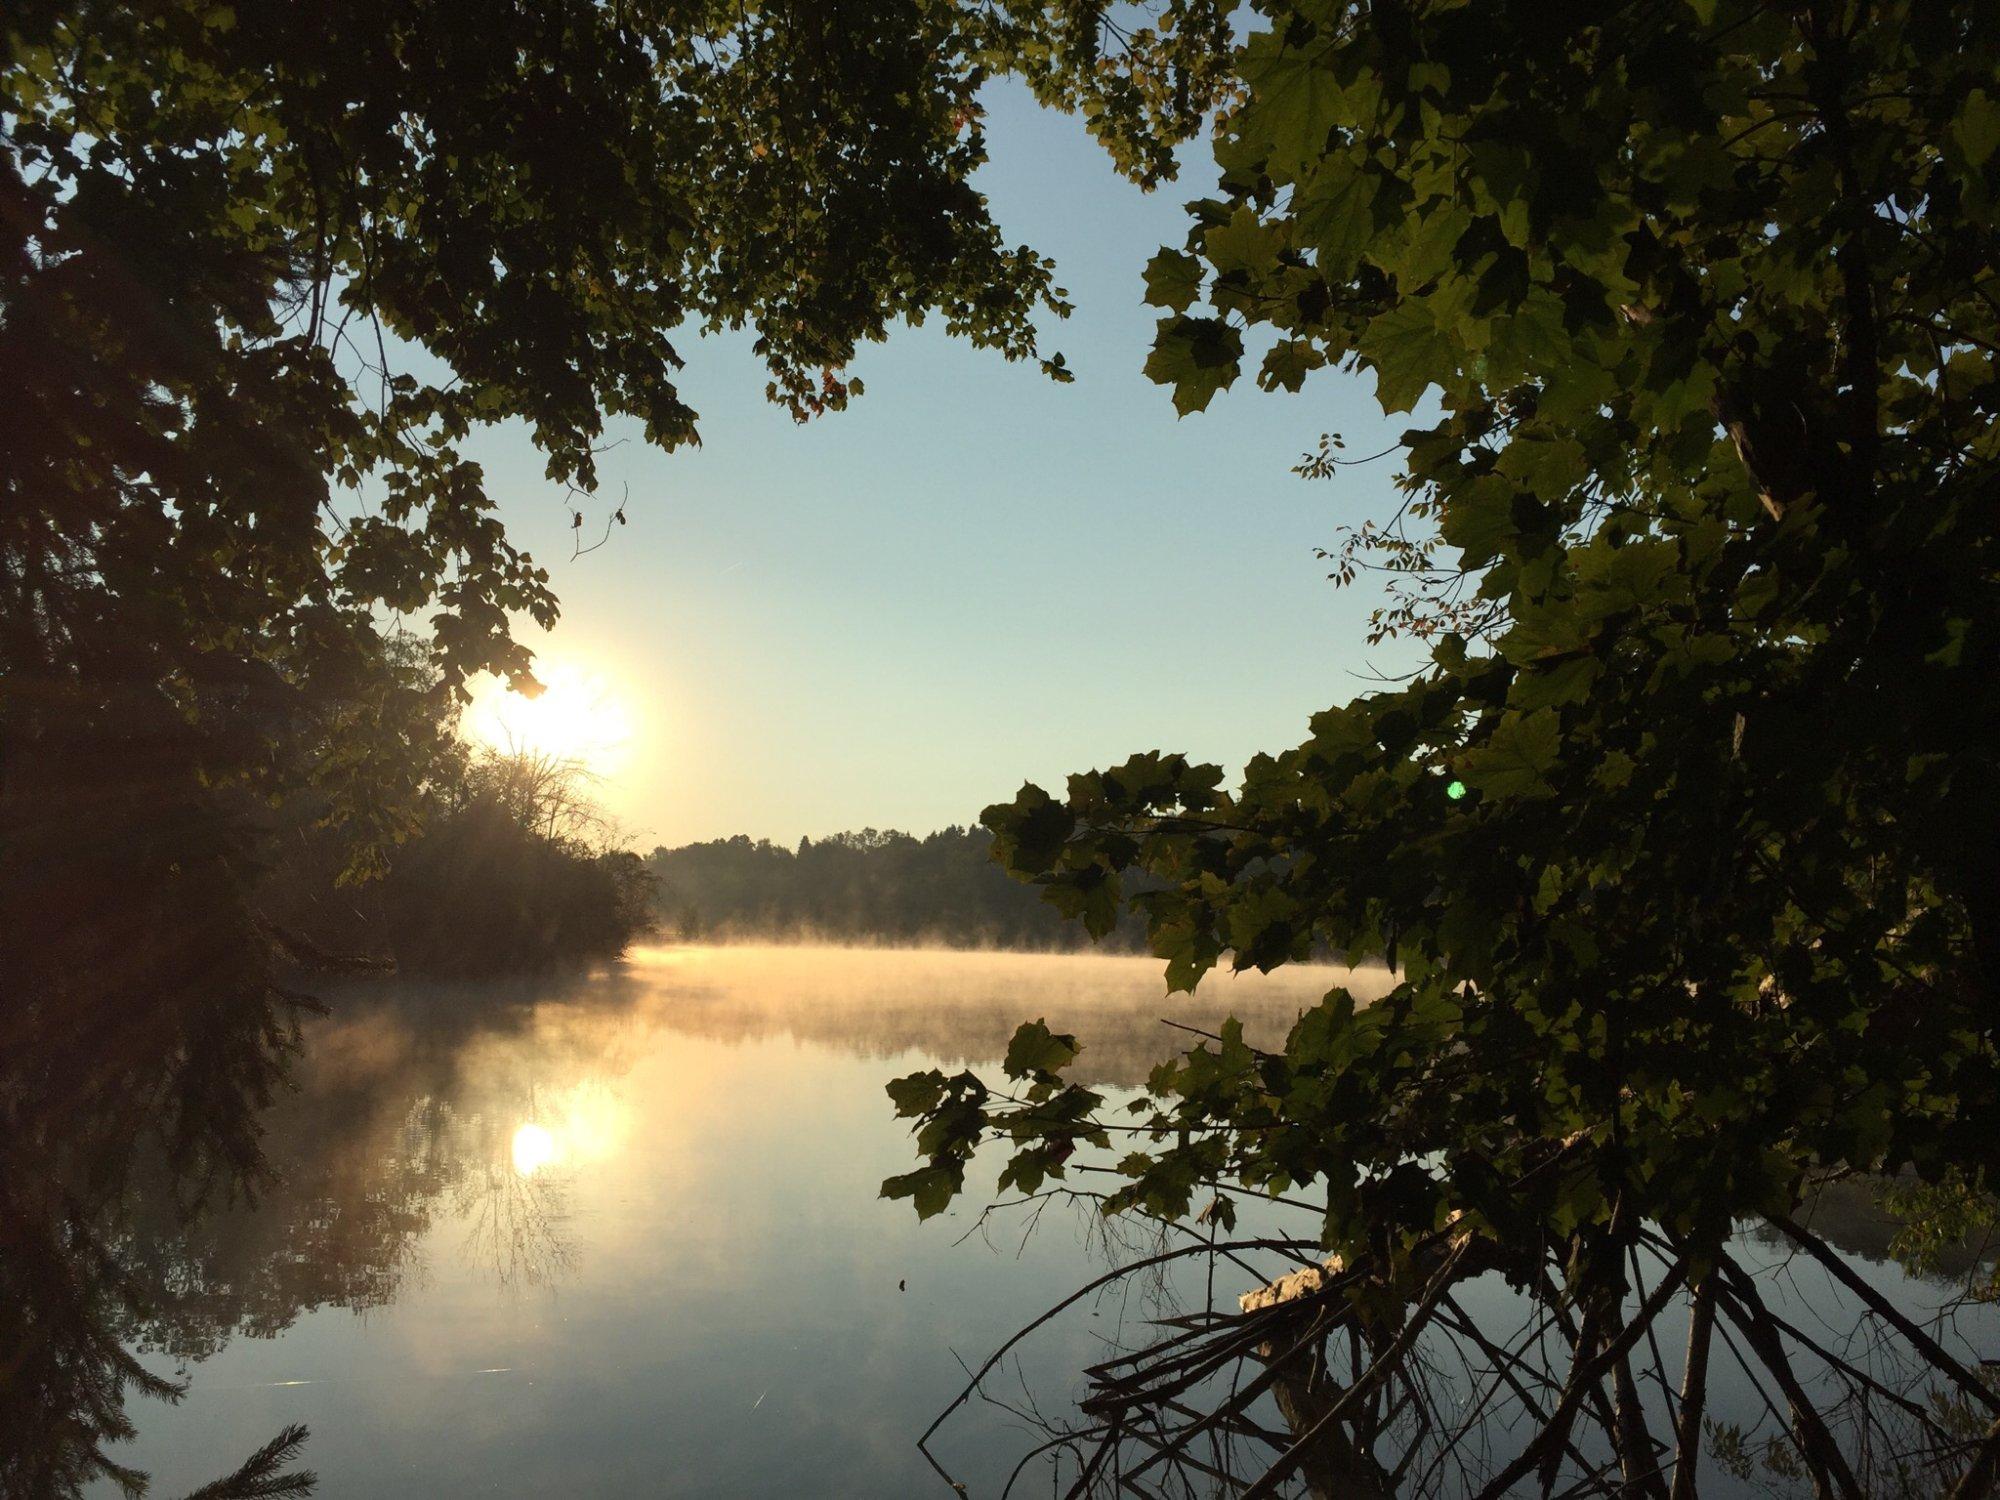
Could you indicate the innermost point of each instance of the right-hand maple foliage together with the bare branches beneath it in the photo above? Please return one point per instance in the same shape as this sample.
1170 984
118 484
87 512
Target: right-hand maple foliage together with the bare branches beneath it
1685 837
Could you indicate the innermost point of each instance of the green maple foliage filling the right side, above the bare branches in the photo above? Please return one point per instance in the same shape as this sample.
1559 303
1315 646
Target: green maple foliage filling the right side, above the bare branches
1687 855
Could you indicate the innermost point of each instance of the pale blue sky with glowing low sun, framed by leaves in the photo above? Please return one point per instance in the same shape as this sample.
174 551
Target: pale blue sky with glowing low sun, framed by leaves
895 615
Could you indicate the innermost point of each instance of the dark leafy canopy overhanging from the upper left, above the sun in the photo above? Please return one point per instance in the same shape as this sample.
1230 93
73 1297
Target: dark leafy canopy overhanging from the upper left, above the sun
225 221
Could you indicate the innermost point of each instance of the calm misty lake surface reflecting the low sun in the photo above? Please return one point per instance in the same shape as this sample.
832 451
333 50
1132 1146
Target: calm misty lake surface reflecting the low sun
621 1235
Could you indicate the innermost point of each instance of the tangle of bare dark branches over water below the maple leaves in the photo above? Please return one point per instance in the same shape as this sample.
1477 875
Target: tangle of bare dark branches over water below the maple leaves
1475 1371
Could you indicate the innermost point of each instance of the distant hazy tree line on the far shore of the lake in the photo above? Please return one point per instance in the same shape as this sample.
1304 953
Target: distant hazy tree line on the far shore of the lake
869 887
